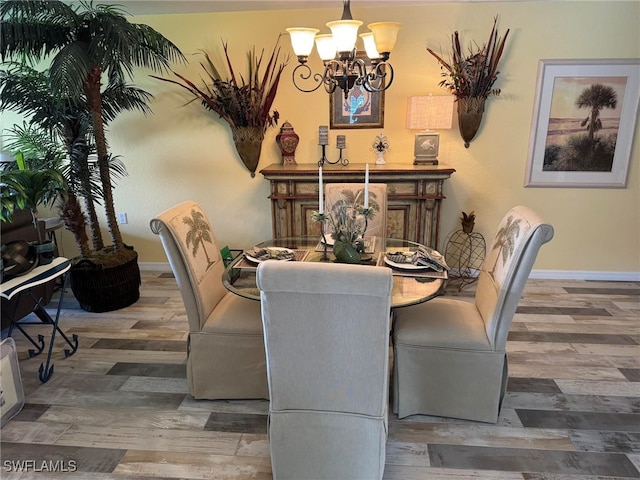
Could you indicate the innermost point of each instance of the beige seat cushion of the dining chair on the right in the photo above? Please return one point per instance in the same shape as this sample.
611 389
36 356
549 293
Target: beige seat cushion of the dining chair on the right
441 322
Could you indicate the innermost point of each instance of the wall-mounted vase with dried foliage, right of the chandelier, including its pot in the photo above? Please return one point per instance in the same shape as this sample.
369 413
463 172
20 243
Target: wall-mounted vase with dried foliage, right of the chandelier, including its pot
471 78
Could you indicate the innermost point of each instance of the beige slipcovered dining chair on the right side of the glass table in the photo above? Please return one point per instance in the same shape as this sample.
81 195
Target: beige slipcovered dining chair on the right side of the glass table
450 355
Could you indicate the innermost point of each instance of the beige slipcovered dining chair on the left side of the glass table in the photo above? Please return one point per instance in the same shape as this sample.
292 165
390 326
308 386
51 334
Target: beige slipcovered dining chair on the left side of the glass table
225 352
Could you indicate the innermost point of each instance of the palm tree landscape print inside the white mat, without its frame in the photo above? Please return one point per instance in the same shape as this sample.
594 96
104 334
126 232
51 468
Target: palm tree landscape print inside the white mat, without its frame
583 124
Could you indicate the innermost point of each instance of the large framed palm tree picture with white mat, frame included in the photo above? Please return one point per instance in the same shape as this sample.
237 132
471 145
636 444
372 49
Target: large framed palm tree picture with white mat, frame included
583 123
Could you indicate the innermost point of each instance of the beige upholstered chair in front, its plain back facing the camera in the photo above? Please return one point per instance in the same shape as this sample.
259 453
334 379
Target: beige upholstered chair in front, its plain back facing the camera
326 329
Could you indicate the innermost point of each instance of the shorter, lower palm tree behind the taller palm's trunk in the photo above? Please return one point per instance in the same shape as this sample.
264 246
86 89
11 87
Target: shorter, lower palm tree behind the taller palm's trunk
59 129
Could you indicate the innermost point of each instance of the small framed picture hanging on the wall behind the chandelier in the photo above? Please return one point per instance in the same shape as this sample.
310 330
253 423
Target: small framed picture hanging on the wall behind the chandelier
368 107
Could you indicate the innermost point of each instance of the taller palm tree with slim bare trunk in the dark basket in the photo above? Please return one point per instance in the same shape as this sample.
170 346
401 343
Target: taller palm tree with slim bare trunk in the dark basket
85 46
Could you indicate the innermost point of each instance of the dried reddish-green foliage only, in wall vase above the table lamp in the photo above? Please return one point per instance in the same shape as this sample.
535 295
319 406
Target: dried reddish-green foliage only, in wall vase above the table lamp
472 75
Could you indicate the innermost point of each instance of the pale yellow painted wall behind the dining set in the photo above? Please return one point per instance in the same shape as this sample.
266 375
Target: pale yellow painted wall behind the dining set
184 152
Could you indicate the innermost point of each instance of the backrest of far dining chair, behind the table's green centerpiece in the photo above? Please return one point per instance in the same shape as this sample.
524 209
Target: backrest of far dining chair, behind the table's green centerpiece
354 193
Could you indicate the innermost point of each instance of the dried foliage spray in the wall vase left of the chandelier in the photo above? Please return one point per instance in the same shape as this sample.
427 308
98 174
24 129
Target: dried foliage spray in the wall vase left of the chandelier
240 101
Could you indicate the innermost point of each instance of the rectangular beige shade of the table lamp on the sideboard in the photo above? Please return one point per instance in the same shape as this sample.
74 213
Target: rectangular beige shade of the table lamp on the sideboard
430 112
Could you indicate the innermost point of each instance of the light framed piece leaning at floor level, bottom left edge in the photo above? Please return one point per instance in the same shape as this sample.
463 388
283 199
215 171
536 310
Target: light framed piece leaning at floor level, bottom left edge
11 393
